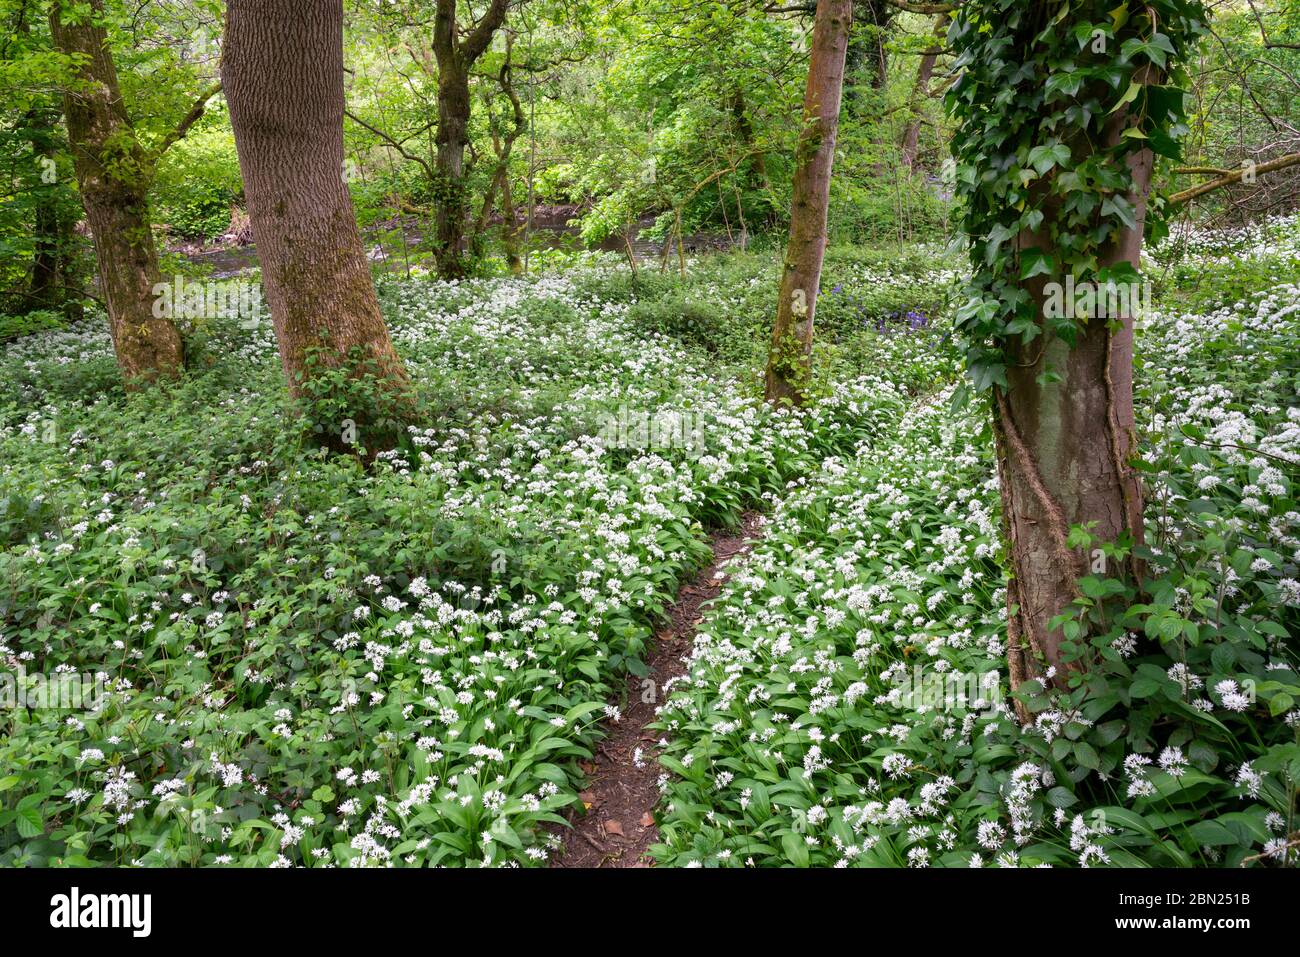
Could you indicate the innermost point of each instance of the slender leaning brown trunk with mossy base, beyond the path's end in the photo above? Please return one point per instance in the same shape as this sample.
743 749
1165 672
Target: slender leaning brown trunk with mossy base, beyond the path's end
790 358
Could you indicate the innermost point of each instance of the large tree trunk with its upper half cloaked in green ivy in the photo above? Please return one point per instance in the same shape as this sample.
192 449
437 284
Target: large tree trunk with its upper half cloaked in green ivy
1063 109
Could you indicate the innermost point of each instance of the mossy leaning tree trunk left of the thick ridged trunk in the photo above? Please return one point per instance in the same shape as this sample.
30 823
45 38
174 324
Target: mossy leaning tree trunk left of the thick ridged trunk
114 180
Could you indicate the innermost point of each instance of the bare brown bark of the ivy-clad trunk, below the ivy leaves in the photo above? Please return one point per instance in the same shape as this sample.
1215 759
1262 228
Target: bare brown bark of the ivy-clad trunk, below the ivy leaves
1064 451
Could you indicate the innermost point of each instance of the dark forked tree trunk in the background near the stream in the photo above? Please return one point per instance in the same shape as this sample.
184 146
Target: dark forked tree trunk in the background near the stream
457 59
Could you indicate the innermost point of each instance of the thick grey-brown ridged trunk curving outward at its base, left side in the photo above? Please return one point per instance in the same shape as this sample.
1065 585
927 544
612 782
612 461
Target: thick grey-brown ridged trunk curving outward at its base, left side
284 80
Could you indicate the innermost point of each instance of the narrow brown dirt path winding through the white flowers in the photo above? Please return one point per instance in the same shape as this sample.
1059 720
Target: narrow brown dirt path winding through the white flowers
618 828
